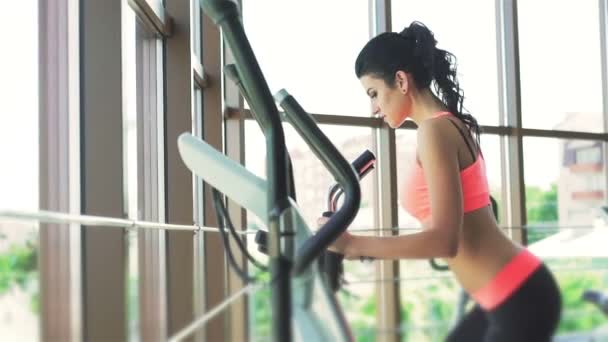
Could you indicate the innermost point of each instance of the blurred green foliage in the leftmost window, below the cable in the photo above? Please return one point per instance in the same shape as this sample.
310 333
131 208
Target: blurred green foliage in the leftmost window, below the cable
18 267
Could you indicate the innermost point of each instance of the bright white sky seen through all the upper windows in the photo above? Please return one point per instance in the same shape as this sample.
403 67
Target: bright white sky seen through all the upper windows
309 48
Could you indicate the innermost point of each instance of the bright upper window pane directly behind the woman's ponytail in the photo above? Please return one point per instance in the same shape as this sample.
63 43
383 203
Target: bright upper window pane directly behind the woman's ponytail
474 47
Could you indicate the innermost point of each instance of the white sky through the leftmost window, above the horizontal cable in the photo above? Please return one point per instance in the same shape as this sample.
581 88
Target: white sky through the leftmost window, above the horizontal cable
19 99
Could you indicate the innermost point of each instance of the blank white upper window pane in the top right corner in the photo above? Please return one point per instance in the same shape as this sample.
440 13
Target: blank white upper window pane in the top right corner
560 59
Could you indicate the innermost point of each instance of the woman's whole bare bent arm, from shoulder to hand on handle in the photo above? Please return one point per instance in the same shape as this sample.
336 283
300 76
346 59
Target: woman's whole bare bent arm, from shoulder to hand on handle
439 238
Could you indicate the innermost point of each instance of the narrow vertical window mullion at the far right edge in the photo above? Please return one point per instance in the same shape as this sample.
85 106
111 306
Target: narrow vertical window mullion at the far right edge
603 18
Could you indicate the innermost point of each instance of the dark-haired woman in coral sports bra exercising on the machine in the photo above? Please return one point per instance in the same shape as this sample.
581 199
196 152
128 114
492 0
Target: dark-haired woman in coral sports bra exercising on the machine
517 297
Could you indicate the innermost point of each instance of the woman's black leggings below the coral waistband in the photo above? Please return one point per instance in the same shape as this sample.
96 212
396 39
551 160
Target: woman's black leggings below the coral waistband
530 314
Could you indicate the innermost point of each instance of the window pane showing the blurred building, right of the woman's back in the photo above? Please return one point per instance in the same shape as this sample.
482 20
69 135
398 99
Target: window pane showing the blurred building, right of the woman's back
565 196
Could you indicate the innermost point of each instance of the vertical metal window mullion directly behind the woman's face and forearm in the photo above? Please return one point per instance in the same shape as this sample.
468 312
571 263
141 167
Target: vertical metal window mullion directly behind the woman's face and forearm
385 191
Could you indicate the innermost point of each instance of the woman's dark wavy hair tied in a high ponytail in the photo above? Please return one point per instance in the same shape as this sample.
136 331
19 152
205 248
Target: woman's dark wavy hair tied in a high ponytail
414 51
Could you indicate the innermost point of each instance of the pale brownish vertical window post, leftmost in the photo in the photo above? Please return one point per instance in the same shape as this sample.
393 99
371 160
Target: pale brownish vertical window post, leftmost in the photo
59 245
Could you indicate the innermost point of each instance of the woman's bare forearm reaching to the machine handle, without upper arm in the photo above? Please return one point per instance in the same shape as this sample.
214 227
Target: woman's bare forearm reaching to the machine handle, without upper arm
422 245
